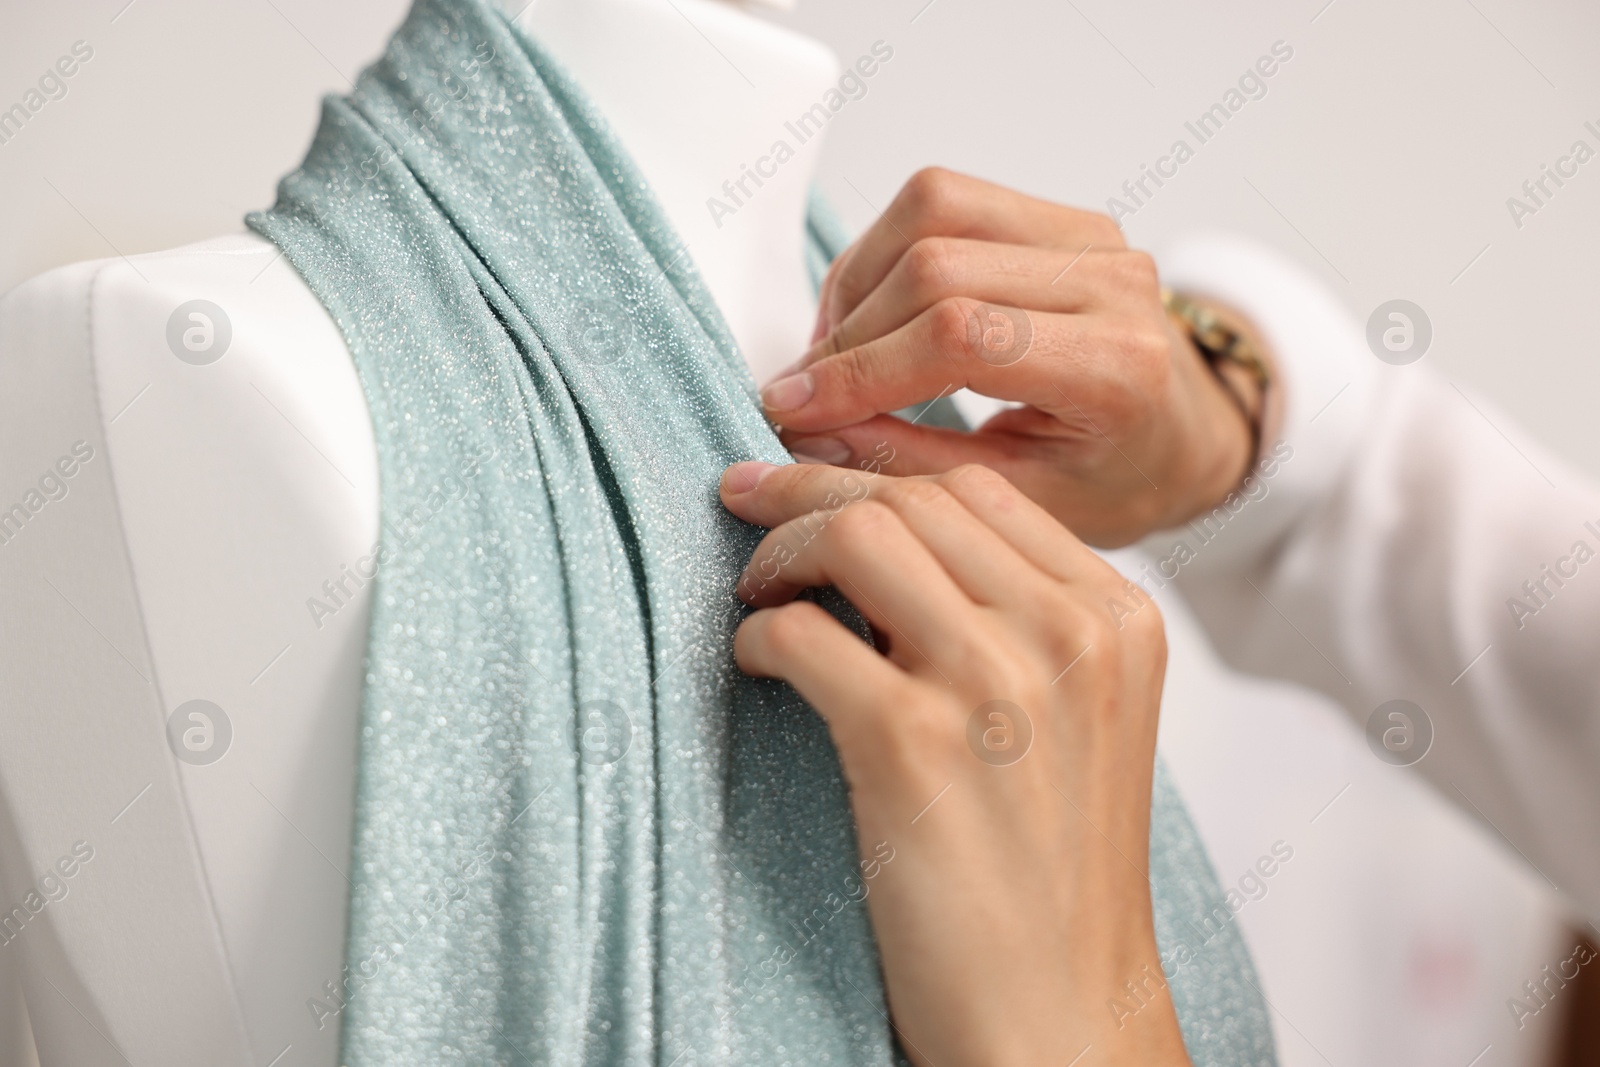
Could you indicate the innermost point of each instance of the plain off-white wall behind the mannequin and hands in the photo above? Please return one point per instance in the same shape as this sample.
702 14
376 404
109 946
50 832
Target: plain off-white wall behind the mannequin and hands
1382 158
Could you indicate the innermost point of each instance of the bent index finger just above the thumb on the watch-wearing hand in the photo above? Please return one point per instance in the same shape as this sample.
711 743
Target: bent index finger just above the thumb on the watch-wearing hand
1002 353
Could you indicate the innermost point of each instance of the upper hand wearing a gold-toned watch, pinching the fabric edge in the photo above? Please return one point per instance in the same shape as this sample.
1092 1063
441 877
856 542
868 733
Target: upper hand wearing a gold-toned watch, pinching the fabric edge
964 284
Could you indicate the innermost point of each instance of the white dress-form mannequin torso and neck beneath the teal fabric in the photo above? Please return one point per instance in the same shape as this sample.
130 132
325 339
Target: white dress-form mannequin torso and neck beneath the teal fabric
246 482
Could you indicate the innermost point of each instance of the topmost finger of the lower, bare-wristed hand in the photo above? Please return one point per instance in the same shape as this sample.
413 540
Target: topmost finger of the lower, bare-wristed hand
983 564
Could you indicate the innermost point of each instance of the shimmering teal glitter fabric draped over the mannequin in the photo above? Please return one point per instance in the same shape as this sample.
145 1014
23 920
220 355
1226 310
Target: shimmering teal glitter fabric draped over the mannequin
583 837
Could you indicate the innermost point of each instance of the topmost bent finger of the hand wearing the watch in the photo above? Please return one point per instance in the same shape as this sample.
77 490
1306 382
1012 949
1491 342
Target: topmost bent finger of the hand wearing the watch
943 204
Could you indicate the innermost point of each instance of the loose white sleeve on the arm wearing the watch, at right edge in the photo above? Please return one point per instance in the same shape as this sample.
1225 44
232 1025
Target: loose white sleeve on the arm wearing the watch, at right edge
1407 541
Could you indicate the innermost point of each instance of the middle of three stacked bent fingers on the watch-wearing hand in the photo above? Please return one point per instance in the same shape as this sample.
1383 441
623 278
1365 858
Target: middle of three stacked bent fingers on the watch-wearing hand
1015 276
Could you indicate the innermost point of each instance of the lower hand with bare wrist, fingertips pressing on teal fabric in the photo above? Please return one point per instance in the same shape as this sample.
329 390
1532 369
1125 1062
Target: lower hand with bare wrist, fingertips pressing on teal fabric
1002 745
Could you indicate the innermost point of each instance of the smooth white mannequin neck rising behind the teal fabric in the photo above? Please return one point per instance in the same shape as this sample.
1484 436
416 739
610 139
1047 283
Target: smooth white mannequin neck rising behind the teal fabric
698 124
